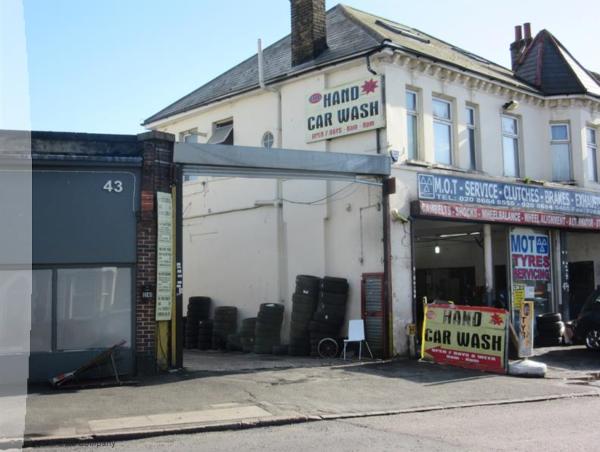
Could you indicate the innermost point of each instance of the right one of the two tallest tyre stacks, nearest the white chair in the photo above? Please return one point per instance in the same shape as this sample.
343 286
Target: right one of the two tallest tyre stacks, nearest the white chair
329 316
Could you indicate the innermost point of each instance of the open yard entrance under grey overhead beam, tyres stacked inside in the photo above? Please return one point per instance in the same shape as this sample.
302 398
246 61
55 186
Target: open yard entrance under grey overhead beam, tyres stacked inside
260 230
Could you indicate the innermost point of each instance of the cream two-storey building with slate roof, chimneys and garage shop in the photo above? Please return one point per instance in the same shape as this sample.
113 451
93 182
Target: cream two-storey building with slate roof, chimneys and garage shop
484 155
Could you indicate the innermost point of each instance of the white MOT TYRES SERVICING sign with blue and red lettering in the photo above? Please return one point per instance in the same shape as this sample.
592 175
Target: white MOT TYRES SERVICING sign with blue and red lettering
530 256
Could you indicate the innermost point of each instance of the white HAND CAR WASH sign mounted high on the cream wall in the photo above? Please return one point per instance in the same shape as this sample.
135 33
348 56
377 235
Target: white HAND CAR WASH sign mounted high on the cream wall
352 108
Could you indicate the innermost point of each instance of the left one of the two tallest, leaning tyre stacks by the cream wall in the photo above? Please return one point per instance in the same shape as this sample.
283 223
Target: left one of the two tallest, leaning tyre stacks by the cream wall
304 303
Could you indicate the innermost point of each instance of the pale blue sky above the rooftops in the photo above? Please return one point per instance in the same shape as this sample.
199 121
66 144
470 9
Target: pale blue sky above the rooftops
103 66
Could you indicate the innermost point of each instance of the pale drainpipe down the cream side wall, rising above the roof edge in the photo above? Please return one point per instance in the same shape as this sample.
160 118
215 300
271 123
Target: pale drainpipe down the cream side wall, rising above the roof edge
281 243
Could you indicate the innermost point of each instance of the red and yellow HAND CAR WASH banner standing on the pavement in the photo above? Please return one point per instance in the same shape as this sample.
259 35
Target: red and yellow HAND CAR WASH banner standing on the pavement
465 336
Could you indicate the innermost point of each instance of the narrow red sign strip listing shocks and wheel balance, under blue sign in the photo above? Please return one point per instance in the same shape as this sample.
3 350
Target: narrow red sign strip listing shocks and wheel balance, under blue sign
496 215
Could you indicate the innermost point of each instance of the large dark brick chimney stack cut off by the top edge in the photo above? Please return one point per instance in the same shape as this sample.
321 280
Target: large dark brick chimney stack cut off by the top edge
309 37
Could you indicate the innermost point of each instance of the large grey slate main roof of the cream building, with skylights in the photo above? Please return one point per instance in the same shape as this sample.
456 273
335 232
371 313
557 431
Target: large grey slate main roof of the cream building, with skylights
350 34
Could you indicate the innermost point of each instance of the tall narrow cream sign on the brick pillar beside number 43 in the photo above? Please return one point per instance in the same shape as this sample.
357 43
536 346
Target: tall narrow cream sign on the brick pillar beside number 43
164 256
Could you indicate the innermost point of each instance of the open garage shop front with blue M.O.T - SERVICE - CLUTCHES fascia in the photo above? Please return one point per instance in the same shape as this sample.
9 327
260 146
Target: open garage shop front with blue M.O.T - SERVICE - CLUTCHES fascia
482 242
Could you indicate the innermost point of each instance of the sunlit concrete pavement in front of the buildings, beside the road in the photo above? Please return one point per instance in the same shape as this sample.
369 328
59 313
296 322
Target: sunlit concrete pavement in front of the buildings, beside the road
225 391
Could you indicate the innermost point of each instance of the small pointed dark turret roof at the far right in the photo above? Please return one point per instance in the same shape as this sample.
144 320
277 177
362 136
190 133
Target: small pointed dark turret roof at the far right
550 67
